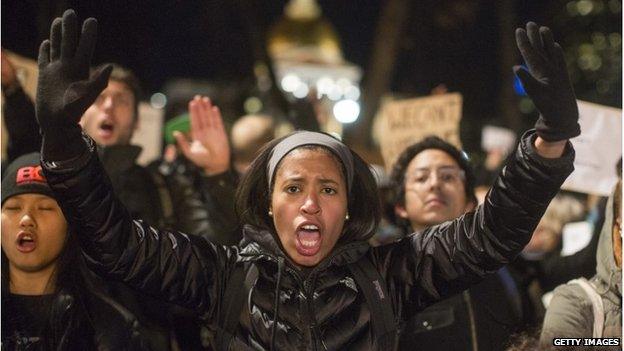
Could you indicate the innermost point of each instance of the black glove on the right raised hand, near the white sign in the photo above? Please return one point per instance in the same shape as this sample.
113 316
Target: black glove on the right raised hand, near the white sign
547 84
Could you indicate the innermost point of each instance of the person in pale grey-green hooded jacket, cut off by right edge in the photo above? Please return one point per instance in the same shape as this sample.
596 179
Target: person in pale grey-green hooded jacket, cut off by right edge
585 309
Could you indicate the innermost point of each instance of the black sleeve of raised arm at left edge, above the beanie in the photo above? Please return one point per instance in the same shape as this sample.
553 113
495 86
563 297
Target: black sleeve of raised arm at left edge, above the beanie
21 124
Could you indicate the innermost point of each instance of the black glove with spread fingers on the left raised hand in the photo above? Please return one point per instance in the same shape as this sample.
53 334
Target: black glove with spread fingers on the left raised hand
65 89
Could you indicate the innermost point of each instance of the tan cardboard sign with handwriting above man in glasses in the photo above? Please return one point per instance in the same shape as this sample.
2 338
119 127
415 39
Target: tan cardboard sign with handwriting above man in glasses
405 122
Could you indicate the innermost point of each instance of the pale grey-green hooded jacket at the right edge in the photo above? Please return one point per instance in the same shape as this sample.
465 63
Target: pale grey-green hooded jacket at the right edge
570 313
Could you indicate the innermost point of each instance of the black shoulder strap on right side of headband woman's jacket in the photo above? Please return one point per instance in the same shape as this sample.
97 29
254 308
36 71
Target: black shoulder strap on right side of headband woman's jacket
382 314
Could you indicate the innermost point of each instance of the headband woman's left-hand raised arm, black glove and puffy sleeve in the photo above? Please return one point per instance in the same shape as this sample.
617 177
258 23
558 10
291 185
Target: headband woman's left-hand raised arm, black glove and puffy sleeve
172 266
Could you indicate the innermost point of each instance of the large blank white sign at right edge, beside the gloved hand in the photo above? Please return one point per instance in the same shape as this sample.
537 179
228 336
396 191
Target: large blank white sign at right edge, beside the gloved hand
598 149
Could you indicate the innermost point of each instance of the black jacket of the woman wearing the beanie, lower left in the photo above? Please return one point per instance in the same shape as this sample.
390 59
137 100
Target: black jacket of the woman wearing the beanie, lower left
77 318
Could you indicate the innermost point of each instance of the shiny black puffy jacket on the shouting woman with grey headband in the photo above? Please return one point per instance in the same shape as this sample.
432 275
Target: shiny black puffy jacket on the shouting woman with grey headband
322 310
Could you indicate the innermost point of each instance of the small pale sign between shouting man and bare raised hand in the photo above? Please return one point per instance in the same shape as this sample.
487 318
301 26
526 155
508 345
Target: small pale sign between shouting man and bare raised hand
149 134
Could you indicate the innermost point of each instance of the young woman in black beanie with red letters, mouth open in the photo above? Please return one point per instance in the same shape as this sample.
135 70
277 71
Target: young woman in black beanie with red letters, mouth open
49 300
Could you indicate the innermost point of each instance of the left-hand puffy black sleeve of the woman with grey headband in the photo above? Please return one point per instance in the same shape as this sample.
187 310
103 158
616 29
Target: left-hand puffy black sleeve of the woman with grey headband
172 266
